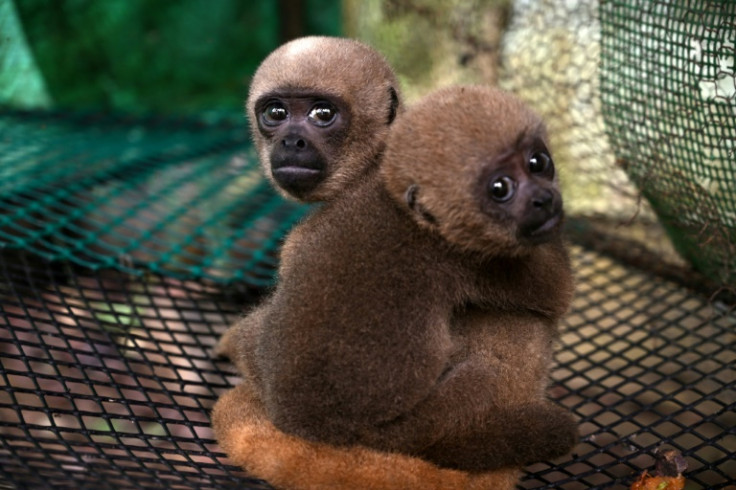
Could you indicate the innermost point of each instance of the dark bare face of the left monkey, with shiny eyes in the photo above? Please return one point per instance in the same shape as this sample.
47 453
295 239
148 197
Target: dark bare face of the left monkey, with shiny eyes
303 134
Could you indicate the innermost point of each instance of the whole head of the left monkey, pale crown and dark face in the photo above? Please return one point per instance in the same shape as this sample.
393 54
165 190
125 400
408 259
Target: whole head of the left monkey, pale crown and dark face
320 110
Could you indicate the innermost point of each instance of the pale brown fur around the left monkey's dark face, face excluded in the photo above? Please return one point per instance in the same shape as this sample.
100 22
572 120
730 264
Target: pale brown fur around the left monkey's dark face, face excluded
336 67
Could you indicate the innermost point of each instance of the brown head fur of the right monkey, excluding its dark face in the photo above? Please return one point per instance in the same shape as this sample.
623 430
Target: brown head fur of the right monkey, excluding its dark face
439 152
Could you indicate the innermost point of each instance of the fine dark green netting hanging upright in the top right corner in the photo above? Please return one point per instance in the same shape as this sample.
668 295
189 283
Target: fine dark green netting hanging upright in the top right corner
668 88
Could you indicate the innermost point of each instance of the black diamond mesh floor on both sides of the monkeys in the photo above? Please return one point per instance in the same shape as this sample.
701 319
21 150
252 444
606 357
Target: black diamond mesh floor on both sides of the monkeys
106 380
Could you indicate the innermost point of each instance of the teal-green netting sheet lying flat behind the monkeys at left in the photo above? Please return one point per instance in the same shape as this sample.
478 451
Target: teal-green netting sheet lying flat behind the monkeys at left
106 193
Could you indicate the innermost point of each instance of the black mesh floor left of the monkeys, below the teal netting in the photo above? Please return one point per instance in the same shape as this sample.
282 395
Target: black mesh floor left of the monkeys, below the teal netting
106 381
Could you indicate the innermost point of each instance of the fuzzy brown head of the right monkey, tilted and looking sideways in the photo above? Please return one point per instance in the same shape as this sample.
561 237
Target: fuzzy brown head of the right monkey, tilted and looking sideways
472 163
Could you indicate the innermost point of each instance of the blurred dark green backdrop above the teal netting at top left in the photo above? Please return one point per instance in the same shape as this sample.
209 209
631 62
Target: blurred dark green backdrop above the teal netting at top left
168 56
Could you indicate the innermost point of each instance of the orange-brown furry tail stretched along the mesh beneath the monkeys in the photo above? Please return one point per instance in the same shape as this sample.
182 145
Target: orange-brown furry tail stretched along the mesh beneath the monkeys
285 461
